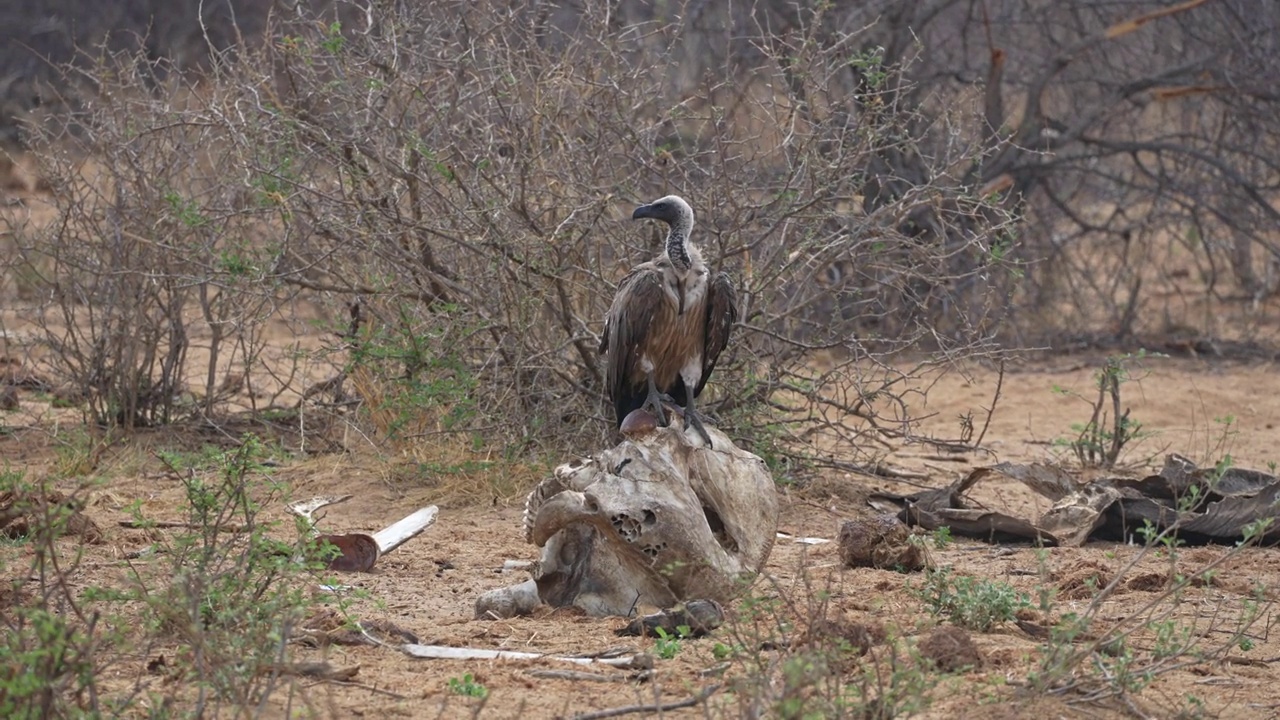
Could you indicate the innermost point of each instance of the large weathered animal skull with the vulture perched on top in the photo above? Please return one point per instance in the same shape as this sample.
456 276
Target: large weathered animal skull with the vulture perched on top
656 521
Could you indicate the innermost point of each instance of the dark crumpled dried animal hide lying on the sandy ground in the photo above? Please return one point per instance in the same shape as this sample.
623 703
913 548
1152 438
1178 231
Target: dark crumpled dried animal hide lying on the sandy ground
1206 505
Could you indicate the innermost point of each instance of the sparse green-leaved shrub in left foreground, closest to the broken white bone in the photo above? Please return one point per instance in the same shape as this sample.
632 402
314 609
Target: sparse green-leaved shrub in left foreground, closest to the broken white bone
227 586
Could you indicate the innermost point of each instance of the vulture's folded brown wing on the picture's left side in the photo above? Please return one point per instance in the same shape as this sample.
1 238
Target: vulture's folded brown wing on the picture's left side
627 329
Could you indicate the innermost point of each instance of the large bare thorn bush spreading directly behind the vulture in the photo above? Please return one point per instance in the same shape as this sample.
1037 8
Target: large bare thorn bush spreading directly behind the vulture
450 194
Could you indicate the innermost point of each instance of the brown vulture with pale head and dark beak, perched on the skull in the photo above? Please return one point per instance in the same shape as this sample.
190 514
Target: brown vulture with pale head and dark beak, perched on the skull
668 325
